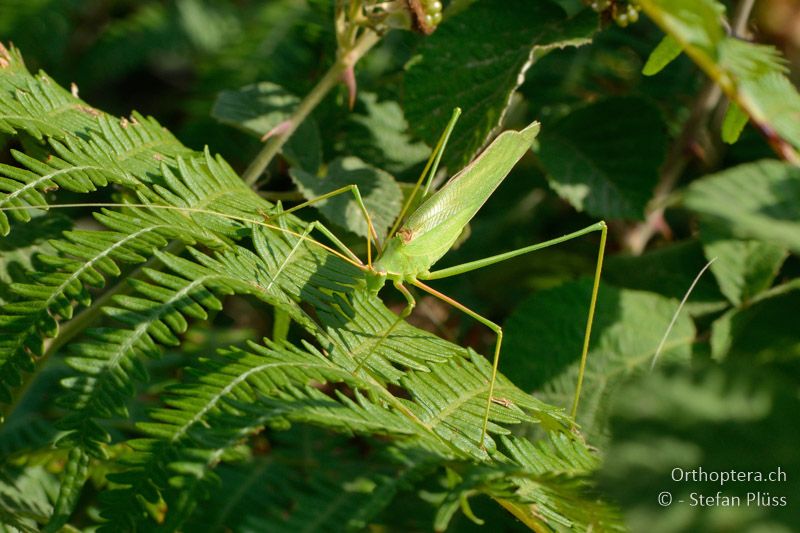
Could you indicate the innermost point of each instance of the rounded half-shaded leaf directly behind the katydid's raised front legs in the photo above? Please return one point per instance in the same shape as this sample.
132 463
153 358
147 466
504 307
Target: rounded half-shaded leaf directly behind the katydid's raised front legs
381 194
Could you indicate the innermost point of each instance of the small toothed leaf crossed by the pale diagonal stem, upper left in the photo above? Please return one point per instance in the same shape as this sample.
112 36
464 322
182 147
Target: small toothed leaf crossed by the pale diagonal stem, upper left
261 107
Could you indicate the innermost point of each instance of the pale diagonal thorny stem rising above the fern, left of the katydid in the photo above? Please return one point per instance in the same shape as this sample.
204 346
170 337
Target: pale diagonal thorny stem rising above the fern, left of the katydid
331 78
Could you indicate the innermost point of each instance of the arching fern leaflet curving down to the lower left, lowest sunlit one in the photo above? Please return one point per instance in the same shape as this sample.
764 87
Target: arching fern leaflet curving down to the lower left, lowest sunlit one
229 400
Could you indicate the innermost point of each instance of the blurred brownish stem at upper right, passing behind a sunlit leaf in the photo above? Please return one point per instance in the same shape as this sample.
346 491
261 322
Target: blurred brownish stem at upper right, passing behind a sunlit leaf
679 156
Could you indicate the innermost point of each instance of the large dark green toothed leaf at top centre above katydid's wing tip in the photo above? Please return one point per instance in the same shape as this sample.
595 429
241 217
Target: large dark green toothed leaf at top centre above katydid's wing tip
476 60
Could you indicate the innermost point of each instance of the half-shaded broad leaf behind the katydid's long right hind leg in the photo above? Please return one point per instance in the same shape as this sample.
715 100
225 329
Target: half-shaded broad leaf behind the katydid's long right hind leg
544 337
